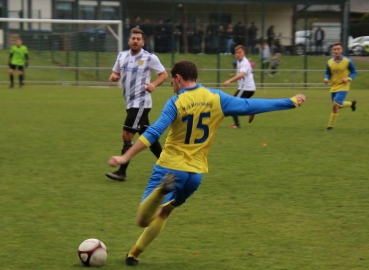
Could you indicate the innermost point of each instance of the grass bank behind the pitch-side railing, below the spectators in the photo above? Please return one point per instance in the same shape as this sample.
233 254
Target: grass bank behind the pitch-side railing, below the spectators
88 59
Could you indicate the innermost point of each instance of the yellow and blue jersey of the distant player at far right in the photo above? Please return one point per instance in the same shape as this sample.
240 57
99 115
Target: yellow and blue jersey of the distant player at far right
338 70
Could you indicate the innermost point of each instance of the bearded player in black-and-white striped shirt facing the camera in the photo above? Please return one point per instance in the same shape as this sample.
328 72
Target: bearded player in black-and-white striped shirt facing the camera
133 67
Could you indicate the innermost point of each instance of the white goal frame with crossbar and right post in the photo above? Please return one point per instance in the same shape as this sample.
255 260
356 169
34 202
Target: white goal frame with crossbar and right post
118 36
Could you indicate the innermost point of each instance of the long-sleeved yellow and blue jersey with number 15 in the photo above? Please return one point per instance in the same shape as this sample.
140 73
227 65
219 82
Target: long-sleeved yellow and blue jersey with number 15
193 117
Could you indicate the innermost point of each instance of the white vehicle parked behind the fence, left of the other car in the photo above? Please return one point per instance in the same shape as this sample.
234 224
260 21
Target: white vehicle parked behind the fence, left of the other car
306 38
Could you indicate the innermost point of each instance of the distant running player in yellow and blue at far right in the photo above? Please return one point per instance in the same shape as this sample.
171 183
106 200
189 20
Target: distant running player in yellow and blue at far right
340 71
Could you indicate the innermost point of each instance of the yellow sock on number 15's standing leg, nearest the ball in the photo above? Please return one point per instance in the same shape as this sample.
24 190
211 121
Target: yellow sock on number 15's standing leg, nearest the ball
149 234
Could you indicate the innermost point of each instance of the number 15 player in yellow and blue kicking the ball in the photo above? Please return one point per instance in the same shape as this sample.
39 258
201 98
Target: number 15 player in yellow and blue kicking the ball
192 116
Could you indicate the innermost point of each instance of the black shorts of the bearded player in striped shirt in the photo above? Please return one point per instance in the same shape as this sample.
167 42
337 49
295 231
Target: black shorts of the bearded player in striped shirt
137 120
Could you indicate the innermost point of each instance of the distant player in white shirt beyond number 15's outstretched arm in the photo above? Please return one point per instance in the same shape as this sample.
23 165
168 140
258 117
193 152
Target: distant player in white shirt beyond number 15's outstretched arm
245 78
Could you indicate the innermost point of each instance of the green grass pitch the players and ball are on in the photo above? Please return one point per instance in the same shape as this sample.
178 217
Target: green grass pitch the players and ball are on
300 202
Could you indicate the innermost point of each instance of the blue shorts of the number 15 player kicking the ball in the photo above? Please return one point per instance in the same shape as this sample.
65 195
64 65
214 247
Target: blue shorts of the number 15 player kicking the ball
186 184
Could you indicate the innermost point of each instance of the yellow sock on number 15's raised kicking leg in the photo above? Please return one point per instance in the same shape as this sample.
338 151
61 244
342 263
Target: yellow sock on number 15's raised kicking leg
150 205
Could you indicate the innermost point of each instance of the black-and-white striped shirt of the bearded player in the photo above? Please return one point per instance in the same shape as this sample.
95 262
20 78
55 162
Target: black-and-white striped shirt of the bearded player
134 71
